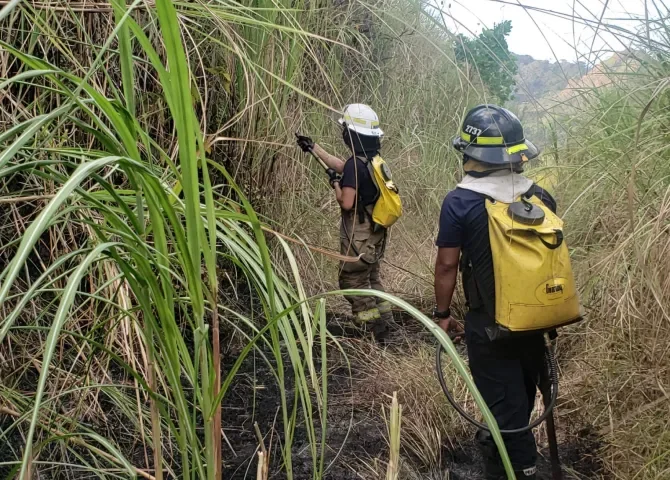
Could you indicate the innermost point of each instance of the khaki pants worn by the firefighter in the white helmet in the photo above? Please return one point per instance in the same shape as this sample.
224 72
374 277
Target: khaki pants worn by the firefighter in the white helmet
363 274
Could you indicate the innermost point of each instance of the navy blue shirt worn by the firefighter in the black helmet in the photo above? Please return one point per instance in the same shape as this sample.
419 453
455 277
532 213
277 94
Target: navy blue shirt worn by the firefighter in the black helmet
464 223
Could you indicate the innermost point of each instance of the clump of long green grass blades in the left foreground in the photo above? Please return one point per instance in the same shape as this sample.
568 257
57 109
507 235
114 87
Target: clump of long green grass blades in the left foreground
159 230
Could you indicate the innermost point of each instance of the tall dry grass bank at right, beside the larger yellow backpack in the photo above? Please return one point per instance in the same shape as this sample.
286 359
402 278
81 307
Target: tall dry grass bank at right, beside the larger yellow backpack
609 158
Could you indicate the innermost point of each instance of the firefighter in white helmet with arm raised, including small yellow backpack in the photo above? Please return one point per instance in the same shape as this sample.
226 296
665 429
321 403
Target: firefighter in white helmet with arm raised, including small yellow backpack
369 203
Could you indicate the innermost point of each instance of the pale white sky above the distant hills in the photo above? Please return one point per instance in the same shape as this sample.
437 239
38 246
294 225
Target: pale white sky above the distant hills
533 32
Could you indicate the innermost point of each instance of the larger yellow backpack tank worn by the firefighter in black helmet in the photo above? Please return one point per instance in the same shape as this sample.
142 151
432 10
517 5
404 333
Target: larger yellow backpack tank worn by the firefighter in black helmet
534 284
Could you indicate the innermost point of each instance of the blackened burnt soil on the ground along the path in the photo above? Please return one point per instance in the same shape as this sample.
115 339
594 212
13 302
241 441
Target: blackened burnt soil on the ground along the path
356 445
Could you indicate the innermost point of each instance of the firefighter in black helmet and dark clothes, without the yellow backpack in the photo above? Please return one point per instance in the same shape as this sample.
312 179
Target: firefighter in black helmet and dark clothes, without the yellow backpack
506 370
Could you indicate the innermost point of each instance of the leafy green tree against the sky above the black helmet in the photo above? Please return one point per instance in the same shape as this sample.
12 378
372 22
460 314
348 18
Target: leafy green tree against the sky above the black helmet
489 56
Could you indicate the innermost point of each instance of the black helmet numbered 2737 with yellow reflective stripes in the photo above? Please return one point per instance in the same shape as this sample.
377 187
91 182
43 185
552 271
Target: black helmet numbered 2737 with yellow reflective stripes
494 135
